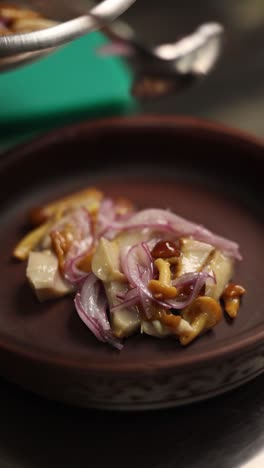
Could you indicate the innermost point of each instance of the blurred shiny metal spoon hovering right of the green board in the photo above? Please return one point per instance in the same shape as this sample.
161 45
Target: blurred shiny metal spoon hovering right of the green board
167 68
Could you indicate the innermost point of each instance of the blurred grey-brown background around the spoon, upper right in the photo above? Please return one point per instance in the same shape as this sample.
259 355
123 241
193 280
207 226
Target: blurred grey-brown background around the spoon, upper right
234 92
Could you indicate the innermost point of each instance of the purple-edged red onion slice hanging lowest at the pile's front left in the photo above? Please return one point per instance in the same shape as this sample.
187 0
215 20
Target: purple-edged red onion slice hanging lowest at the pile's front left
91 305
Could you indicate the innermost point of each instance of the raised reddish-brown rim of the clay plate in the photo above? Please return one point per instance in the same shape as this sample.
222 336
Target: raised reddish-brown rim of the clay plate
135 123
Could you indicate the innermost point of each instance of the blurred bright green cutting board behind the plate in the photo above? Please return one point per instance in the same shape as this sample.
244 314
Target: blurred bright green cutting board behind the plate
69 85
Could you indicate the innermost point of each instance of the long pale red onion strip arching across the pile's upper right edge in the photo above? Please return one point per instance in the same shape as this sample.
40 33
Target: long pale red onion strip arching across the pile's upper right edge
161 220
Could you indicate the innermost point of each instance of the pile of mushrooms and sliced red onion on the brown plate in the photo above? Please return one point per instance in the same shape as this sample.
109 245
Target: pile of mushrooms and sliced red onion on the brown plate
148 271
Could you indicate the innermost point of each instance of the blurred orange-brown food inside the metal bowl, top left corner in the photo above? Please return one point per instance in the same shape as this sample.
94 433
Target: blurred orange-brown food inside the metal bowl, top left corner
16 19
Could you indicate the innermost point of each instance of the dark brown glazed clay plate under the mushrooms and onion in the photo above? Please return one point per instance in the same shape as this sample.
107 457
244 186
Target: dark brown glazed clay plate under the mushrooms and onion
208 174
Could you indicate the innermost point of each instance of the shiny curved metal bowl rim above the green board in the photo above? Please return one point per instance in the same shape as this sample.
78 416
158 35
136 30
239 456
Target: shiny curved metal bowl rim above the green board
17 49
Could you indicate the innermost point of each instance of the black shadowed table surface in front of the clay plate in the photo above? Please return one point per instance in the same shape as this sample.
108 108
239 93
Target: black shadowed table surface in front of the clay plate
218 433
